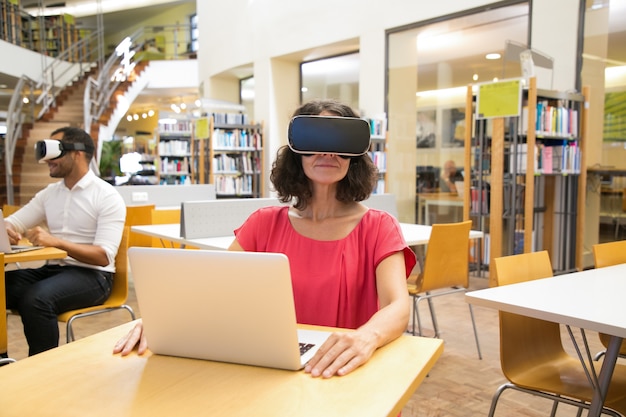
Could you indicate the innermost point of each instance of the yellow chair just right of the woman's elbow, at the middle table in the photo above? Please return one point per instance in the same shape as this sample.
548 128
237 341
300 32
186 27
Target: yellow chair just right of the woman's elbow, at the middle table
446 268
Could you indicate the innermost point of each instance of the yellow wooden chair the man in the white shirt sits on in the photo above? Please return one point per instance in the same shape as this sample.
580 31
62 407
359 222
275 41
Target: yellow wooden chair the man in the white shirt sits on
117 298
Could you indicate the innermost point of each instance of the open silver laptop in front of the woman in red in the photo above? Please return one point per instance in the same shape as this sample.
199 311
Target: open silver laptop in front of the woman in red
222 306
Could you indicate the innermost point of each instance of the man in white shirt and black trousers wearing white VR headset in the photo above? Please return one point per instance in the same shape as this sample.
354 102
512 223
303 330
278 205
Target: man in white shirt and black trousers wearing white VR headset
85 217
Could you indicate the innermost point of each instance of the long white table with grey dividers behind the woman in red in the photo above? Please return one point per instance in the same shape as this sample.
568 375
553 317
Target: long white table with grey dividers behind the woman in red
414 234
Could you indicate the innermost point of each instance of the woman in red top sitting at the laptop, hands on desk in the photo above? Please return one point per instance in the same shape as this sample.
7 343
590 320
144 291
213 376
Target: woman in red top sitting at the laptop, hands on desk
349 264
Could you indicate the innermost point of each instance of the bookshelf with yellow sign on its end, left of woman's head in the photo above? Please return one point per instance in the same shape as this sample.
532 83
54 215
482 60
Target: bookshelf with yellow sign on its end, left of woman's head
228 152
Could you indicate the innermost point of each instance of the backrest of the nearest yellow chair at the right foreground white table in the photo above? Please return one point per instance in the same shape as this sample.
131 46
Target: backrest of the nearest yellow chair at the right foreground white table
523 340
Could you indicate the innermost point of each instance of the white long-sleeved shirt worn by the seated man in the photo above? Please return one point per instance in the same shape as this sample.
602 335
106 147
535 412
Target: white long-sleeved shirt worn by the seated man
92 213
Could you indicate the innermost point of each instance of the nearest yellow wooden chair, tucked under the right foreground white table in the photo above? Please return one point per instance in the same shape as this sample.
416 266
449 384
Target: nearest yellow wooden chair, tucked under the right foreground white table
532 357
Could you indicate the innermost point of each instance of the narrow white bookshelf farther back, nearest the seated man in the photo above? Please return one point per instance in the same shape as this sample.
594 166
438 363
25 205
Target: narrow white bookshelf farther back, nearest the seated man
174 152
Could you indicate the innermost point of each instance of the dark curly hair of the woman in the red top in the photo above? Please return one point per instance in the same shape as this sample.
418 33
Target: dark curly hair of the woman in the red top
290 182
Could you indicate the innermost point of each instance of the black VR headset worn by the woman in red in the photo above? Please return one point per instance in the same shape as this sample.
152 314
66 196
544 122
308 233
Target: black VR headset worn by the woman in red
345 136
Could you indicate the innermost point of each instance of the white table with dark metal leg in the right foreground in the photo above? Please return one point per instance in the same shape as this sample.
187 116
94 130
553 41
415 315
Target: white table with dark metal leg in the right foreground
591 299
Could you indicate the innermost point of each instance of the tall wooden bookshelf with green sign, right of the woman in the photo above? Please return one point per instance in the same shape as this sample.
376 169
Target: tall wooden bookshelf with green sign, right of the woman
527 188
